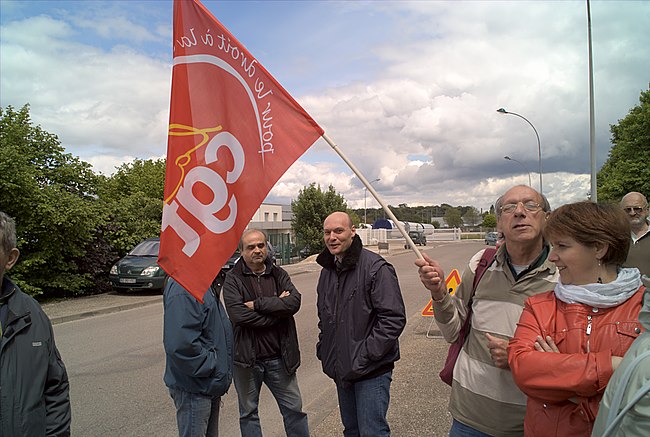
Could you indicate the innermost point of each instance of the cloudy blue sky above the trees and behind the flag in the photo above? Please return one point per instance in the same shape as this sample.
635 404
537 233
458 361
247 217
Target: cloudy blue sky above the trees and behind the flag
408 90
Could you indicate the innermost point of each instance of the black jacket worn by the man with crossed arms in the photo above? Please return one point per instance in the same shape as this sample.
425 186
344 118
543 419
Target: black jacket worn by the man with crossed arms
269 312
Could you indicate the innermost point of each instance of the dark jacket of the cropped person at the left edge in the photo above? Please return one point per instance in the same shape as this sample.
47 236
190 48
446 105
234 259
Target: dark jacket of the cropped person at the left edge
34 389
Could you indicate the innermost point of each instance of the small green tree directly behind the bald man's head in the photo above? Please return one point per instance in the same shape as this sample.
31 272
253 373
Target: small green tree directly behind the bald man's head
310 209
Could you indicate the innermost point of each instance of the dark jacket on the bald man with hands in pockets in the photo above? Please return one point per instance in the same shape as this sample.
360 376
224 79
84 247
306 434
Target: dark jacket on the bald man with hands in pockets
361 315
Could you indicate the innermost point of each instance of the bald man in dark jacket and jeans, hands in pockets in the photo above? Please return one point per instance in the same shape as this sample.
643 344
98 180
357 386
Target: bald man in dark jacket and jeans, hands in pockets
361 315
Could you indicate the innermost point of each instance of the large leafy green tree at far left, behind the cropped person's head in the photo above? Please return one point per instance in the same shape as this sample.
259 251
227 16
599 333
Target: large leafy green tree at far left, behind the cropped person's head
53 197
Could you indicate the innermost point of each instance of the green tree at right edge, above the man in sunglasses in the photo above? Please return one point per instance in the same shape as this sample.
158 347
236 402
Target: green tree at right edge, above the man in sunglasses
627 168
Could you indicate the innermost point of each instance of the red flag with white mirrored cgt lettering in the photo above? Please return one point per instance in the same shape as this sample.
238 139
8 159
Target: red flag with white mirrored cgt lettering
233 132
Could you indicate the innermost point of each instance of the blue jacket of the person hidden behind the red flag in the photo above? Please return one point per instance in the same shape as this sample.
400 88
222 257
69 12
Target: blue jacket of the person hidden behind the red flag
198 342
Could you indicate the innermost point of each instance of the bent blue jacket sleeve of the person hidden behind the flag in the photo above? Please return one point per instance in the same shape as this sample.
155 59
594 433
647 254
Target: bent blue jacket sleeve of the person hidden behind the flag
182 332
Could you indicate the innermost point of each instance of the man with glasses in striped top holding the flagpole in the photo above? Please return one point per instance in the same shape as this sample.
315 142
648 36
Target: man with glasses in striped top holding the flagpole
484 398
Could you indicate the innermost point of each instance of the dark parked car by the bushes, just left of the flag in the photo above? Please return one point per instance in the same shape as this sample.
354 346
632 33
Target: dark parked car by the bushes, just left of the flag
139 269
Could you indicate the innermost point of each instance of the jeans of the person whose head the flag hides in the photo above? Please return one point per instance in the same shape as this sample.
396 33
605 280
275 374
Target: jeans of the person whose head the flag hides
196 415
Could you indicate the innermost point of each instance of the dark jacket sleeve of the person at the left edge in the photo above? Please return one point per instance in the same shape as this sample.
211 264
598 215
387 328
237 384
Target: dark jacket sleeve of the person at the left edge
58 415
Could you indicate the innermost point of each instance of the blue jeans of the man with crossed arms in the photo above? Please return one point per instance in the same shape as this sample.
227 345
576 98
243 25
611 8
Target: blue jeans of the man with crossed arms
283 386
